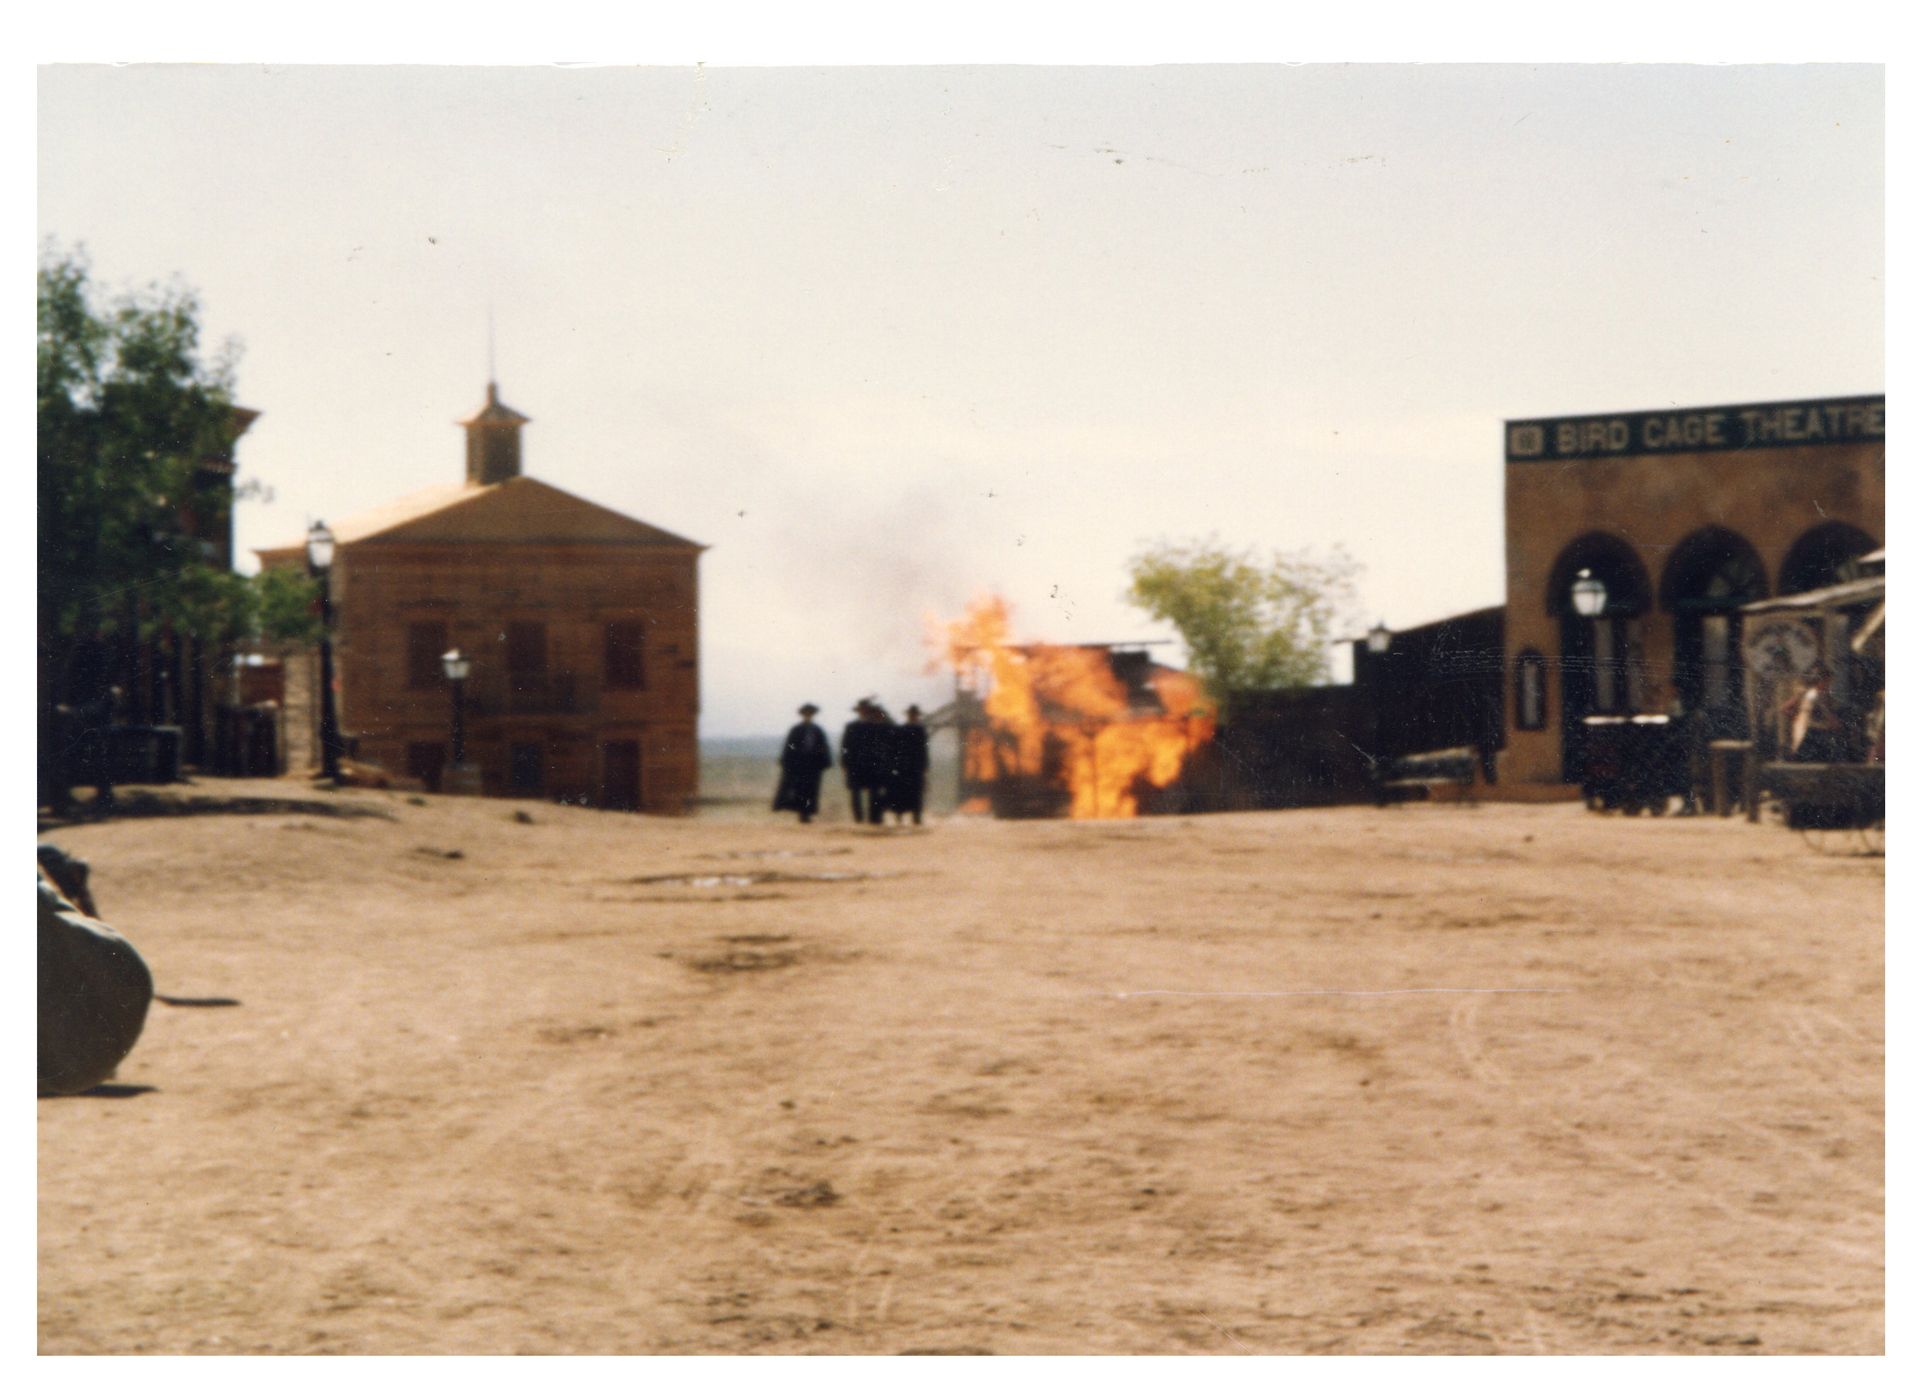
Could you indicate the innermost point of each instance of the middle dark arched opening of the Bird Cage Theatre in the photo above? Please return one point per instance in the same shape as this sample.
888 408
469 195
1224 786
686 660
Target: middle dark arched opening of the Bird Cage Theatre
1708 579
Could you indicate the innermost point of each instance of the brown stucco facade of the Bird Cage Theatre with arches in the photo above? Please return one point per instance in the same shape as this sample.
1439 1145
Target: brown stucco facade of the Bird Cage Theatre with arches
1683 515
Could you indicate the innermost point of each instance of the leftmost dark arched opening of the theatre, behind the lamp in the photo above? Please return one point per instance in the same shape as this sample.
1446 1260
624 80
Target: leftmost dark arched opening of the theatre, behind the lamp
1600 650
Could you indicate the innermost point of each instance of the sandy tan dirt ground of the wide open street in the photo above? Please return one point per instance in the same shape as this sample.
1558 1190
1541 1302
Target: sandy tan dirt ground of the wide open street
1431 1079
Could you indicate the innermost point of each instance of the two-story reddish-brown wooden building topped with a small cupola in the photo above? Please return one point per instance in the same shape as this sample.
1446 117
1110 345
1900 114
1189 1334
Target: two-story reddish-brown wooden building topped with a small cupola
583 628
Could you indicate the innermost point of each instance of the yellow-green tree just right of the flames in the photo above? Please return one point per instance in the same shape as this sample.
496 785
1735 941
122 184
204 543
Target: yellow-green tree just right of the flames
1249 621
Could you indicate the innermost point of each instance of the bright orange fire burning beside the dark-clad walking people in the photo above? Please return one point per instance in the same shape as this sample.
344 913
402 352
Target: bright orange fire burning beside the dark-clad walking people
1078 730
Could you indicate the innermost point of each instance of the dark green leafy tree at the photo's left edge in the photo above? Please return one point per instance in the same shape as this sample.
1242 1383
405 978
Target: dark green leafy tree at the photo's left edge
128 410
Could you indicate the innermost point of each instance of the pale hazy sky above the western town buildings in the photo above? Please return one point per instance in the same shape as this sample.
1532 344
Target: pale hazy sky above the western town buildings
888 339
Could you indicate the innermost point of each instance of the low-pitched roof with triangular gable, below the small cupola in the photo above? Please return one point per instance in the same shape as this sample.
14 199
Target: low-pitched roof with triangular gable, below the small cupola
512 511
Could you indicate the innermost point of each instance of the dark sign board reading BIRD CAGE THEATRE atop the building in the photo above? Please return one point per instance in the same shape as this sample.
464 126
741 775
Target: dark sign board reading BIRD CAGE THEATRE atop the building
1689 431
